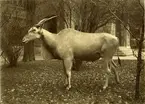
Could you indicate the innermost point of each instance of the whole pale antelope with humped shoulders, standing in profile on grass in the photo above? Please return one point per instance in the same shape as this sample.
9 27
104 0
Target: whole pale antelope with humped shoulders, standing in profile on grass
70 44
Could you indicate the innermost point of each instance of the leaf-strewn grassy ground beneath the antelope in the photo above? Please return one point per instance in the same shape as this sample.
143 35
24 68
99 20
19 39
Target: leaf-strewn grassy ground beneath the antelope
42 82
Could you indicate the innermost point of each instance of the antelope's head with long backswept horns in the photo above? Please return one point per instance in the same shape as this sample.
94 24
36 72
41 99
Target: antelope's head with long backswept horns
35 32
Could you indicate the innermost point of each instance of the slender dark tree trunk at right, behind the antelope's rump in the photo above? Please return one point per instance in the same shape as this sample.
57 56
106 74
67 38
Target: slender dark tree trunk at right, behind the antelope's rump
139 64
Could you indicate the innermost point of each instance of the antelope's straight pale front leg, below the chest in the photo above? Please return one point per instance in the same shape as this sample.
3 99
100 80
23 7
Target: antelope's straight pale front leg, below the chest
68 65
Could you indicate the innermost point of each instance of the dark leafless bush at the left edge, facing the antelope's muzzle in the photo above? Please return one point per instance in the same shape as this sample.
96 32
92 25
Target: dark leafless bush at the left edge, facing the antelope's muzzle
11 43
